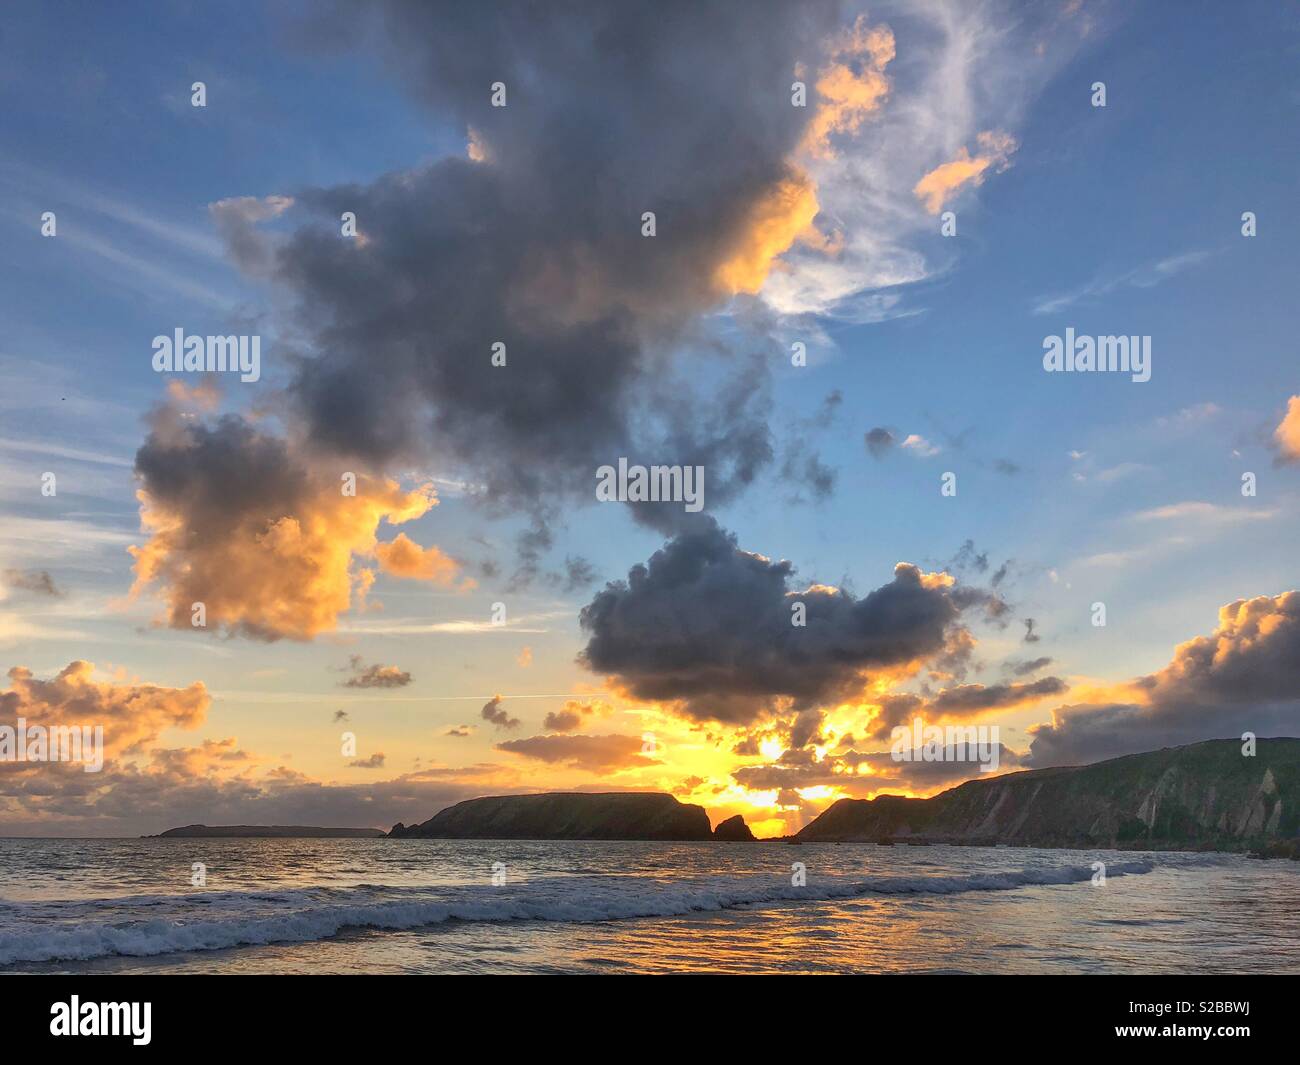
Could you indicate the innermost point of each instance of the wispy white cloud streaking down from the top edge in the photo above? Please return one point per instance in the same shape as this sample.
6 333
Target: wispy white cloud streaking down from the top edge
963 70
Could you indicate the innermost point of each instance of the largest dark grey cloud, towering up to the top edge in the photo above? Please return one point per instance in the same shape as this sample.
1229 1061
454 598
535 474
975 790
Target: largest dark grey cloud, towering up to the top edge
540 246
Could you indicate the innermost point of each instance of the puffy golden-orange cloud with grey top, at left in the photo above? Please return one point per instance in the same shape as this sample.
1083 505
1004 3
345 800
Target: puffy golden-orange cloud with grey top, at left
242 522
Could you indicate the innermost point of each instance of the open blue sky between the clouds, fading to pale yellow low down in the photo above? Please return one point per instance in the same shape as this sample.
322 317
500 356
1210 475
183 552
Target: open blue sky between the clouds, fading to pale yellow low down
1124 219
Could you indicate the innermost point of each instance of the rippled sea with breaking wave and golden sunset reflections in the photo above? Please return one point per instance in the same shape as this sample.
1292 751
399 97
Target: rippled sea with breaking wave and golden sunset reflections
378 906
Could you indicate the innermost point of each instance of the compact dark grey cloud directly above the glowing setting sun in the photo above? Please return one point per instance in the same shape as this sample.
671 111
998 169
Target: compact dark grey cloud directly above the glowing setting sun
708 627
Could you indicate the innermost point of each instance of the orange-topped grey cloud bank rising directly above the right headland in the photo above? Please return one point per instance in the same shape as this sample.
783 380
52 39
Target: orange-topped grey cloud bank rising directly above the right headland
1242 678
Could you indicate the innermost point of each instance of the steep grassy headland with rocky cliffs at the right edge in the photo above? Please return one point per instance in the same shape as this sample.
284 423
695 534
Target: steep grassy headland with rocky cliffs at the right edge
1203 796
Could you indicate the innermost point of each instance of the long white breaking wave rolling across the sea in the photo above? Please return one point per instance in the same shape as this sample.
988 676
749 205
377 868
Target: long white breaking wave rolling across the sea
314 915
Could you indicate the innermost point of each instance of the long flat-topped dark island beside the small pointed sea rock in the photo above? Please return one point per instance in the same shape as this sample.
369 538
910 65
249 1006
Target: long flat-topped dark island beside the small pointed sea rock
566 816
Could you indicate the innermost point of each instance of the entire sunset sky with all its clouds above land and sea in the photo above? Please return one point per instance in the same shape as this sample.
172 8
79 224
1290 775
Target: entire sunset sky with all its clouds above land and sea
817 250
